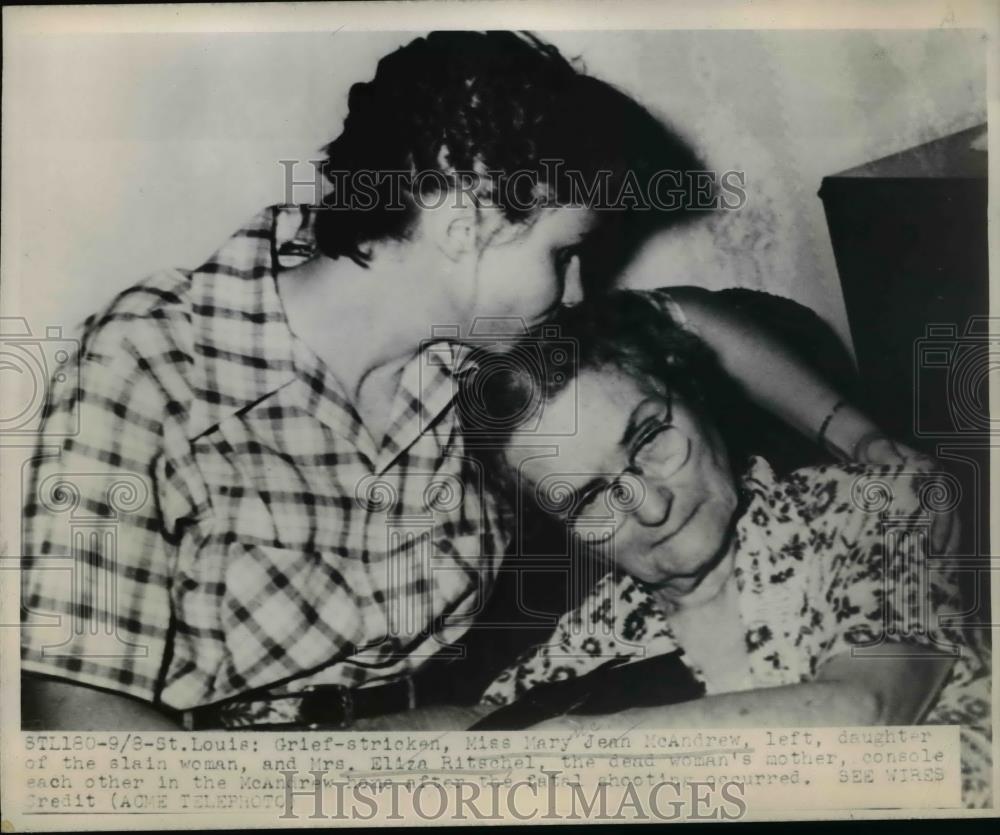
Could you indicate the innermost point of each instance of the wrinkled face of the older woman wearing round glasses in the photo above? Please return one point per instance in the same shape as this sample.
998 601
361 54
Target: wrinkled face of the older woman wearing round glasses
645 467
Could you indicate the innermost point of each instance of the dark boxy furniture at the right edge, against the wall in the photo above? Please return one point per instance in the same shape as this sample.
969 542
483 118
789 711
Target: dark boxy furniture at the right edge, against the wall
910 239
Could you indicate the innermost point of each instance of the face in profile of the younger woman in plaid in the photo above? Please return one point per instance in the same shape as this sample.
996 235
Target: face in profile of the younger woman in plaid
526 270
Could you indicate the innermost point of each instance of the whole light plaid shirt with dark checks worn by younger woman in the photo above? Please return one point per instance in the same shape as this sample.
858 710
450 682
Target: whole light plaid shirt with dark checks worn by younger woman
208 515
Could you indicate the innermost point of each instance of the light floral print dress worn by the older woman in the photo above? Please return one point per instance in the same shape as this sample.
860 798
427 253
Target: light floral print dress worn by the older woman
828 560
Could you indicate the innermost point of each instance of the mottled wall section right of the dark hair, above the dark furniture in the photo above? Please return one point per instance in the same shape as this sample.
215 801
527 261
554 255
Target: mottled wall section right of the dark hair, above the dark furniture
789 108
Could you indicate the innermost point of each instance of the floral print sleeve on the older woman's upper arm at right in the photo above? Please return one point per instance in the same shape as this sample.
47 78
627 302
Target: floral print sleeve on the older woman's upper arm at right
879 582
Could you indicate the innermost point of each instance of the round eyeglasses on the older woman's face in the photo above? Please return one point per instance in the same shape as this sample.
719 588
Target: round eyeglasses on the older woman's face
658 451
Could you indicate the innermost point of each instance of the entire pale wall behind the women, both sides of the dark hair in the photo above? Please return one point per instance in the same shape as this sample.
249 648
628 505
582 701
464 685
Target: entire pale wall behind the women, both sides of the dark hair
128 153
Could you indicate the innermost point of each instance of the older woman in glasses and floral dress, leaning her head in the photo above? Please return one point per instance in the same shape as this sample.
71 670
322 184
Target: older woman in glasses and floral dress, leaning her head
767 590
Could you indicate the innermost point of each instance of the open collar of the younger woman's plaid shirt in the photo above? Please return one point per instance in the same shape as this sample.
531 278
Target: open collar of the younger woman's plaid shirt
247 351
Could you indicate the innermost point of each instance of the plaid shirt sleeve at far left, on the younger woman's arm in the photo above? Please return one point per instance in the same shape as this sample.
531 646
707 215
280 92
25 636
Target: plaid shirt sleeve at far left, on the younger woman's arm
95 576
